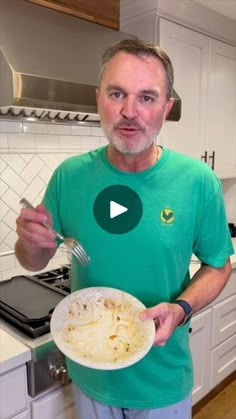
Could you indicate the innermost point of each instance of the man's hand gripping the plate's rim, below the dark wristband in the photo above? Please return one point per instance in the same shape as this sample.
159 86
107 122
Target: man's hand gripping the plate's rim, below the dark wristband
167 317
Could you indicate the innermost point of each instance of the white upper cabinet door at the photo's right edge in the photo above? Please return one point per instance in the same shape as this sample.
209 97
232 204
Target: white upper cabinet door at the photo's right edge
221 119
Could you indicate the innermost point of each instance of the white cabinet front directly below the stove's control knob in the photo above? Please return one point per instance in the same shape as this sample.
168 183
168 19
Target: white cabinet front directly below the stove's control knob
56 404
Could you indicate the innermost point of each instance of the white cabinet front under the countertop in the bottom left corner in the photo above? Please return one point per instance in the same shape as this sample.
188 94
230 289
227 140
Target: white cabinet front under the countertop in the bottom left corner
13 394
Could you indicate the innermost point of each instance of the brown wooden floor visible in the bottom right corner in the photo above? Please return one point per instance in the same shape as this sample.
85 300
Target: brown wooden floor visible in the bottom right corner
222 406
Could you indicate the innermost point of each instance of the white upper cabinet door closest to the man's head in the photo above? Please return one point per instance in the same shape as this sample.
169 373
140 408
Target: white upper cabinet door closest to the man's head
188 51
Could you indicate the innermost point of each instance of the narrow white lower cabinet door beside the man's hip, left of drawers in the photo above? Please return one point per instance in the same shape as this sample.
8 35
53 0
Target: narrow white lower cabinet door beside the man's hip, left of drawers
200 348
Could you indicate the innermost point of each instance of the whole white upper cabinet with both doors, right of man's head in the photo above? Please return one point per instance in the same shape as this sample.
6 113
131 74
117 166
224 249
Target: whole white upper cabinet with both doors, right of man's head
205 79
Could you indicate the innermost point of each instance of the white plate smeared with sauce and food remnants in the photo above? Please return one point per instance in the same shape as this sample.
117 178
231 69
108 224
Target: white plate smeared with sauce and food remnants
100 328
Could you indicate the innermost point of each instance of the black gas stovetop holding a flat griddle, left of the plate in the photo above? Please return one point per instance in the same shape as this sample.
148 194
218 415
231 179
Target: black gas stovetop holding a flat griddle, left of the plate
56 280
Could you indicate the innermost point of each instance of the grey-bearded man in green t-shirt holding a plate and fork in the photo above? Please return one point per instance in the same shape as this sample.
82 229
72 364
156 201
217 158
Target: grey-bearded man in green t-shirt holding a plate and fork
176 208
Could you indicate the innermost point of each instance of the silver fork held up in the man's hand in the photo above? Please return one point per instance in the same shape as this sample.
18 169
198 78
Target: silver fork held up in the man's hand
72 244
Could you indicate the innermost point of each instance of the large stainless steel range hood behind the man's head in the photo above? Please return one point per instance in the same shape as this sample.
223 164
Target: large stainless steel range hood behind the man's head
49 64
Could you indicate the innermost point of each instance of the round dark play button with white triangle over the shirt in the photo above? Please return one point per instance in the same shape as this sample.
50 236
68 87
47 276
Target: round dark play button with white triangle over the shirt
118 209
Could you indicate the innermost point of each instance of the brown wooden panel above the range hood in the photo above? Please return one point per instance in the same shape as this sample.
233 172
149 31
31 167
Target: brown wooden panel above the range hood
103 12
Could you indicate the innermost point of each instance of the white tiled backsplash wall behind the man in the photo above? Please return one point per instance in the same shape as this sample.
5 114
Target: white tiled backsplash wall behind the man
29 153
